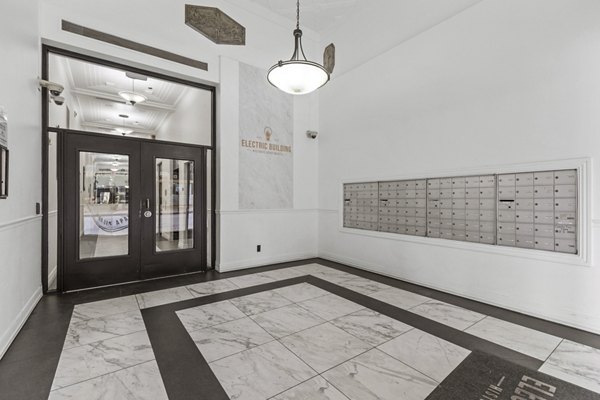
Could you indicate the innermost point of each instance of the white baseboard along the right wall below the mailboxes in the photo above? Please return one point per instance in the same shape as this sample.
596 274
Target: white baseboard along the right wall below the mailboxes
372 268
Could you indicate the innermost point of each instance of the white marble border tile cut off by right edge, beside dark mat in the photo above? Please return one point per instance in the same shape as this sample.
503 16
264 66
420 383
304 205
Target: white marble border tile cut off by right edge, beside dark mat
575 363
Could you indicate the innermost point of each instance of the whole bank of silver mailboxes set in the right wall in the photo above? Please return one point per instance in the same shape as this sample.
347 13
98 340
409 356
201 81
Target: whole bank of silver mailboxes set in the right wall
527 209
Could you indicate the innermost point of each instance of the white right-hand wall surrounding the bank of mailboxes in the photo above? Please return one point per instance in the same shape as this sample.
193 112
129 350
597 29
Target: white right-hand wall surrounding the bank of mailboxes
504 82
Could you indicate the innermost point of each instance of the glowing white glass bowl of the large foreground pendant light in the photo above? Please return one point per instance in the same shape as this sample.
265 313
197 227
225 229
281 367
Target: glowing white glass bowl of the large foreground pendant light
297 76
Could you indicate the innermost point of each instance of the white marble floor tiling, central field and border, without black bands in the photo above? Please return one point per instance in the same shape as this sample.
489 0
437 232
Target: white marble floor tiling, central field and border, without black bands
284 344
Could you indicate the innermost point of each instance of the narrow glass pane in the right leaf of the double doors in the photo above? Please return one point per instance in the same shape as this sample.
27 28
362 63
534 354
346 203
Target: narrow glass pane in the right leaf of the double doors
174 204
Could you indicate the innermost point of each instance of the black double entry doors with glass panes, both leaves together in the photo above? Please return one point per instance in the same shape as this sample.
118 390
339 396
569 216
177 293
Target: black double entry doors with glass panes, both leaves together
131 210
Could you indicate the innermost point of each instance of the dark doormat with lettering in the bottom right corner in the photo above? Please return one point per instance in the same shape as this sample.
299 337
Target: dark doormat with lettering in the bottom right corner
484 377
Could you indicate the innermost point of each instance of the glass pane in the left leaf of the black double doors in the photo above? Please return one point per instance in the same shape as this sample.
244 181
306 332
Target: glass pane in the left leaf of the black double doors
103 205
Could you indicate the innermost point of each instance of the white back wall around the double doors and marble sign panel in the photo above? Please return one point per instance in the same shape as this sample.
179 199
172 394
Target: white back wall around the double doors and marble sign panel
284 234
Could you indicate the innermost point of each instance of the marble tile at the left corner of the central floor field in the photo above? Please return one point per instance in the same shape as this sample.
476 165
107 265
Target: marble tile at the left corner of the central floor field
209 315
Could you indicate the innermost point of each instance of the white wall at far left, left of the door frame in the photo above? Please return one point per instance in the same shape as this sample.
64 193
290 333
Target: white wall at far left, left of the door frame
20 228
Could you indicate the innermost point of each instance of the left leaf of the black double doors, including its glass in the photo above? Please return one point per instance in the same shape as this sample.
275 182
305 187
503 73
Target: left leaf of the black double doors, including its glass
99 223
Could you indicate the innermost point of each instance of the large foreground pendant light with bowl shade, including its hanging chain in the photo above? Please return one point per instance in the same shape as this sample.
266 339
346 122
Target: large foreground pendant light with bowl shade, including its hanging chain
298 75
